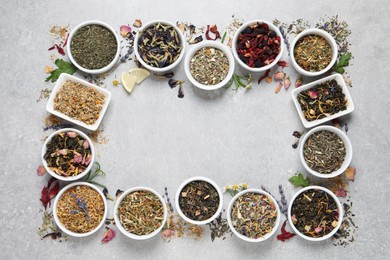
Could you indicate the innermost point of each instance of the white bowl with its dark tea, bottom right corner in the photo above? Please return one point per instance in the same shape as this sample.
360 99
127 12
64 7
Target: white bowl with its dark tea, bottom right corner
315 213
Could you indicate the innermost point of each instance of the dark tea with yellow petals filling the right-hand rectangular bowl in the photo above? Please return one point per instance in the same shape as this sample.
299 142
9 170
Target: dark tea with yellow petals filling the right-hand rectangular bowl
322 100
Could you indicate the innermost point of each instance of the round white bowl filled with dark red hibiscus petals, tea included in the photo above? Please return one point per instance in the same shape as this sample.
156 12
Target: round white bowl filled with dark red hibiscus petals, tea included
257 46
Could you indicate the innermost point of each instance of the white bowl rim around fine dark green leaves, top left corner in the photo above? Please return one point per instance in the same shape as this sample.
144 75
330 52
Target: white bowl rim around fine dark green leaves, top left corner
111 64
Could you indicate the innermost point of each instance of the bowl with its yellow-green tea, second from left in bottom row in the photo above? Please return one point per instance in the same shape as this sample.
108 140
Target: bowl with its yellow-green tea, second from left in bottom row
140 213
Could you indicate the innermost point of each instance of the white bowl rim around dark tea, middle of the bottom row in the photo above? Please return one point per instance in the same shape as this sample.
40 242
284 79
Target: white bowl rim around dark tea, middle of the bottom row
177 198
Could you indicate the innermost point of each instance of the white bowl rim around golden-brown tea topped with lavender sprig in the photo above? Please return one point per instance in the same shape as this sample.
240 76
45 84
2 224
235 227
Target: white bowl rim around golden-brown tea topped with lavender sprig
58 222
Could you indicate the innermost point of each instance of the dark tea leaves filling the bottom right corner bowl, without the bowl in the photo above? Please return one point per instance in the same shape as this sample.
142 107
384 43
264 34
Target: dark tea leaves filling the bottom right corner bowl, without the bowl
314 213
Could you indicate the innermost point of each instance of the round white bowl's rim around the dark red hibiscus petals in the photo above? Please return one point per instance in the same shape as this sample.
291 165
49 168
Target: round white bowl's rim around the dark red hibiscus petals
234 46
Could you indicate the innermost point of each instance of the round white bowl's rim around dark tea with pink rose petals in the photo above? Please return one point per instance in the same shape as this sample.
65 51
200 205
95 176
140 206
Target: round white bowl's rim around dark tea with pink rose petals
80 175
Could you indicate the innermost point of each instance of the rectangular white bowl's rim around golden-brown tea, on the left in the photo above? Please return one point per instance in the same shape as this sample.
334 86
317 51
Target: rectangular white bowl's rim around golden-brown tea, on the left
60 82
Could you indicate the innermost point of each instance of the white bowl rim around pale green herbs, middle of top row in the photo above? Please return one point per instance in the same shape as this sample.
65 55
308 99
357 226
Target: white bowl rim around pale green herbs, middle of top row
218 46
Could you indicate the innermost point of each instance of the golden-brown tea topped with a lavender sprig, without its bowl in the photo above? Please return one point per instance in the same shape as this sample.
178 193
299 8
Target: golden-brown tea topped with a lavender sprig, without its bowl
80 209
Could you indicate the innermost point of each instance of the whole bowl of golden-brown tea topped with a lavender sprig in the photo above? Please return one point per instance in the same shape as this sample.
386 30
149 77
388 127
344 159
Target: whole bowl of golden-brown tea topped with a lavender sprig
80 209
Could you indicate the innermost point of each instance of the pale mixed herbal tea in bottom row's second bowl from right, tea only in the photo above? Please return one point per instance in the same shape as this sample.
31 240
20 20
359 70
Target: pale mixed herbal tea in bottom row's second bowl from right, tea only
254 215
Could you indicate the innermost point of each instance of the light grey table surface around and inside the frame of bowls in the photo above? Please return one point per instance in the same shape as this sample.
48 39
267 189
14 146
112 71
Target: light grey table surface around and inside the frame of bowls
159 140
